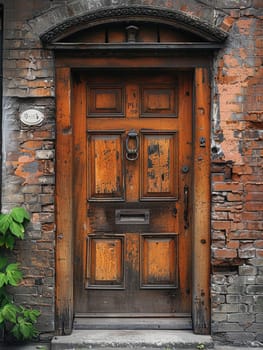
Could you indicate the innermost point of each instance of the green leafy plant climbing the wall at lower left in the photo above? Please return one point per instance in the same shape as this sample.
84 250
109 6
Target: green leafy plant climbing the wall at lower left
15 320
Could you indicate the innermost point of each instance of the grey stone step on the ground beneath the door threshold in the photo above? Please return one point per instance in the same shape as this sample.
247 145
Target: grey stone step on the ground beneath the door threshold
132 339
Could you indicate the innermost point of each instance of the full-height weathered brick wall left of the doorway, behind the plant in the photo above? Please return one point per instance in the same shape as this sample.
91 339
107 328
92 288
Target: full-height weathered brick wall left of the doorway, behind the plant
29 155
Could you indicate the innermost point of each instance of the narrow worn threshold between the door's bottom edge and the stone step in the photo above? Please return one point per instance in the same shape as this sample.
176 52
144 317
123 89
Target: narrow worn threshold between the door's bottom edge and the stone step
132 323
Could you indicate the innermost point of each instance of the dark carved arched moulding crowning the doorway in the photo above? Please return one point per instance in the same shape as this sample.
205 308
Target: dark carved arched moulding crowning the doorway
194 28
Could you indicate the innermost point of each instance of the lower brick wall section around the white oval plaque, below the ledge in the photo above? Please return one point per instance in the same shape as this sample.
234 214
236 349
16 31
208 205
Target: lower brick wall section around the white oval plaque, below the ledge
28 180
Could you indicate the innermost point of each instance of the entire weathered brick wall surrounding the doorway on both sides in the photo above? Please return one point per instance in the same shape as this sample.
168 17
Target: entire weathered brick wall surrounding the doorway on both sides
236 150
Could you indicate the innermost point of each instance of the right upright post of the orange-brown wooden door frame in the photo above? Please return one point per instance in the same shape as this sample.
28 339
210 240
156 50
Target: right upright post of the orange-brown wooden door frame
201 210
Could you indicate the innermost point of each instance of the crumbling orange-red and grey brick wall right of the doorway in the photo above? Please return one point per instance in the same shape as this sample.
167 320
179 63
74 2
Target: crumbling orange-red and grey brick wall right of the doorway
237 180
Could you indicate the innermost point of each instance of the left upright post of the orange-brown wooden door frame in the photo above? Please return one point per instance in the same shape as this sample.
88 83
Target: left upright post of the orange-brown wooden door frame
64 239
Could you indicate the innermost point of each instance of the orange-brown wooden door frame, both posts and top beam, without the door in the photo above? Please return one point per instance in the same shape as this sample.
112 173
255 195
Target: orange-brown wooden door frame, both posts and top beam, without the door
65 64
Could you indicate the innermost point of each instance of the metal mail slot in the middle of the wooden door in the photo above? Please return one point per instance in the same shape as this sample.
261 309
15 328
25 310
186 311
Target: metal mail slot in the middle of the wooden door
132 216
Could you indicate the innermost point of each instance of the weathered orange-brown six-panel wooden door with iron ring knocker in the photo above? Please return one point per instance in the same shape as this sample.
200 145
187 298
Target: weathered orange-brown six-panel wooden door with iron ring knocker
133 258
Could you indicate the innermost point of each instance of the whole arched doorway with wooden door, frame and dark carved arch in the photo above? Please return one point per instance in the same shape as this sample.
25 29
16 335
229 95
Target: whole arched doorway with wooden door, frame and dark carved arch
133 189
